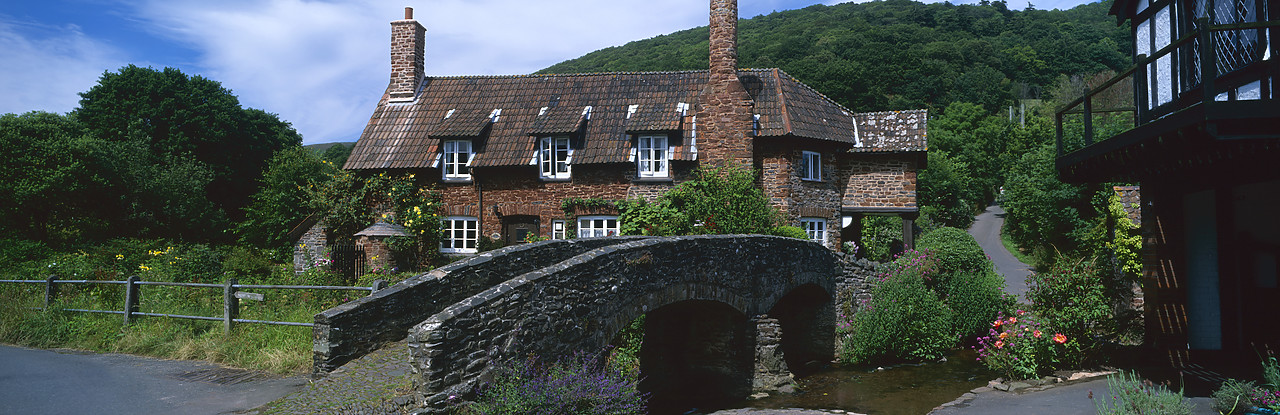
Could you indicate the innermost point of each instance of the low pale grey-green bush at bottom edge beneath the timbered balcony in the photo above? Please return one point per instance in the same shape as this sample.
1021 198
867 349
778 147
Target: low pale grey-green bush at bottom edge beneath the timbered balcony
1131 395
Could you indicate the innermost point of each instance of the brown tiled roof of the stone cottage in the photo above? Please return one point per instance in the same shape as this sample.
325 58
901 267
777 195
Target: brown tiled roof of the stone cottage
401 136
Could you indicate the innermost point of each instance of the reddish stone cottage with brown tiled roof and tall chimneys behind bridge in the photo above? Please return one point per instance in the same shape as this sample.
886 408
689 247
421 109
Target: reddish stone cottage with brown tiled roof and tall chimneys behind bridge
506 151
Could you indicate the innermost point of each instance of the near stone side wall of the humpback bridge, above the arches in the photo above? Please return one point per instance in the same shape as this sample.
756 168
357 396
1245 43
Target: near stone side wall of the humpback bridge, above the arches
582 303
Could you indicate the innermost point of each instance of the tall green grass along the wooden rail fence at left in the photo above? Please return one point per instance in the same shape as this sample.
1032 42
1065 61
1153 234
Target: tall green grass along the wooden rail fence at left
277 349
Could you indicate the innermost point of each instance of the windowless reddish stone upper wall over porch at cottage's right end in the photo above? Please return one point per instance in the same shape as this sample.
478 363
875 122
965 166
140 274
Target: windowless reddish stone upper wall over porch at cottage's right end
880 181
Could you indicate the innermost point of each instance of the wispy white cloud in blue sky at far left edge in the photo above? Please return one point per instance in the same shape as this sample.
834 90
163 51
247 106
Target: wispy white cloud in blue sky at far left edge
45 67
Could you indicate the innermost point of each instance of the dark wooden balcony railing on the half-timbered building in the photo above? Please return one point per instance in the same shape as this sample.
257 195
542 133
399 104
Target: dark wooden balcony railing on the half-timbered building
1206 66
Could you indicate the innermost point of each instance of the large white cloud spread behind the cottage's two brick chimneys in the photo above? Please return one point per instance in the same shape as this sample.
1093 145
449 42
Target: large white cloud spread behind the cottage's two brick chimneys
324 65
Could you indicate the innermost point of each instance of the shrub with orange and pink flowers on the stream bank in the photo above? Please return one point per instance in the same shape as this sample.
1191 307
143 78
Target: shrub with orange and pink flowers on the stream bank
1020 348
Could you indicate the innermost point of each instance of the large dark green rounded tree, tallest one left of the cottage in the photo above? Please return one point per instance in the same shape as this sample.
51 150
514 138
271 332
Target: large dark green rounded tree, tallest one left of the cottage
189 124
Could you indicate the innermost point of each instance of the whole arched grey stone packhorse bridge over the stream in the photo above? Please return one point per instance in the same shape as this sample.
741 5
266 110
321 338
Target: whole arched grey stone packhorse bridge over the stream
726 316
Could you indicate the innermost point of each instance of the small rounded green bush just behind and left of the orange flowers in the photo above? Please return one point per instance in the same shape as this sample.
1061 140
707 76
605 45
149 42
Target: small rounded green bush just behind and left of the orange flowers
976 299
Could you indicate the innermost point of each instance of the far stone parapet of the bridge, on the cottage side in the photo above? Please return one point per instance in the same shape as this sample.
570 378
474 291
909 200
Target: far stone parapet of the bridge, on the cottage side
355 329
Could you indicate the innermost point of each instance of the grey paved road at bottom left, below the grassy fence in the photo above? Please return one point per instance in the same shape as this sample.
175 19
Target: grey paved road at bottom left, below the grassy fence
67 382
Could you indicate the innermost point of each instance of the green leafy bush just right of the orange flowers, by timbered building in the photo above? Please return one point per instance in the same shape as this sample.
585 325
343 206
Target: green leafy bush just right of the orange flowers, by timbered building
1071 298
